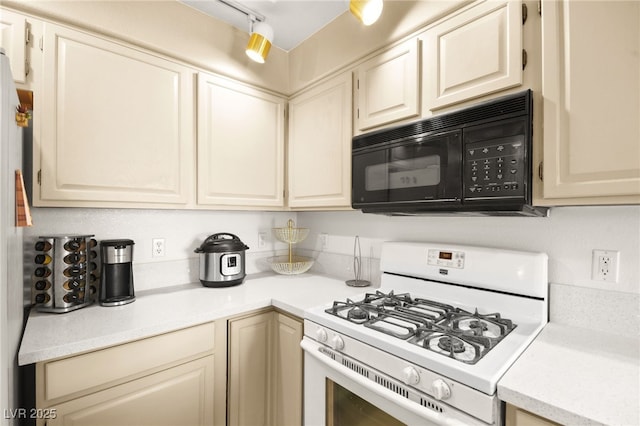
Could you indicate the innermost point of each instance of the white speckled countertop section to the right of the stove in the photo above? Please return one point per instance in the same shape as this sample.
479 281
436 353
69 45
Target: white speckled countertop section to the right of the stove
575 376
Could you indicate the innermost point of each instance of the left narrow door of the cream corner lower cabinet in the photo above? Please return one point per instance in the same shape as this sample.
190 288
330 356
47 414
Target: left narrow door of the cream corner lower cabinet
250 360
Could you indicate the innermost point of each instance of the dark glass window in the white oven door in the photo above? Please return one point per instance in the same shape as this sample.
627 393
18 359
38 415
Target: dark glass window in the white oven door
344 408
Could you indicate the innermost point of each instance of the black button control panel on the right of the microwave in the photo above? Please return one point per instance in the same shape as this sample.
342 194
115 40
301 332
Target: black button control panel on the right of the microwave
495 168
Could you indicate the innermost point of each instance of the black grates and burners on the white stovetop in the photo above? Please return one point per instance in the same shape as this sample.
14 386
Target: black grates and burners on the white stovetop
438 327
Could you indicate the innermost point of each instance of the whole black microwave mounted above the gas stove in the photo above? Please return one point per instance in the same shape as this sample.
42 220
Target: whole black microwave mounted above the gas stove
476 160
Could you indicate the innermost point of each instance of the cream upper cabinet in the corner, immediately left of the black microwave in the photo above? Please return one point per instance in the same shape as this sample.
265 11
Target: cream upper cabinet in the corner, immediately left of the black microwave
319 149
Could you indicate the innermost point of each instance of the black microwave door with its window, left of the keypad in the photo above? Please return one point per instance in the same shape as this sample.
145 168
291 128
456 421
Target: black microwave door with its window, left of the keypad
417 170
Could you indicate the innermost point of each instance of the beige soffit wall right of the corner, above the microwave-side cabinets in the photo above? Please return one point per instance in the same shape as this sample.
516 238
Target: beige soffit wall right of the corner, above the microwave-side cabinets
345 40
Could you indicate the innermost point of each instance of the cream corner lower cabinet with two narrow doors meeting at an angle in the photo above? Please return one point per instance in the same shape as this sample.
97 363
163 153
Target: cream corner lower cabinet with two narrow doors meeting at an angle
265 370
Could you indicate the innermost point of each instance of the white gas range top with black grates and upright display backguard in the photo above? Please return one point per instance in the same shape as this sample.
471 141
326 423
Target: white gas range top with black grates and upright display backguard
466 313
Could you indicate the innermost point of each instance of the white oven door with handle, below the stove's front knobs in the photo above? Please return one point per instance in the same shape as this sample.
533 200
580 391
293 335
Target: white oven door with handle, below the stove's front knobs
336 395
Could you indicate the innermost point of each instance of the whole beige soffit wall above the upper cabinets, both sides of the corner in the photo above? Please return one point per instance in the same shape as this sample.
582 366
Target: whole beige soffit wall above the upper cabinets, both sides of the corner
179 31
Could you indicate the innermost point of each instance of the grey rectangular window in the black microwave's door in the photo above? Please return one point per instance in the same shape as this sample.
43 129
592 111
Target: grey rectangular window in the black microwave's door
403 173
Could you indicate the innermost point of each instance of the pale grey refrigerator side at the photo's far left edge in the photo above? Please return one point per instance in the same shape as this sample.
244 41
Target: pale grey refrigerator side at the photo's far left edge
11 250
